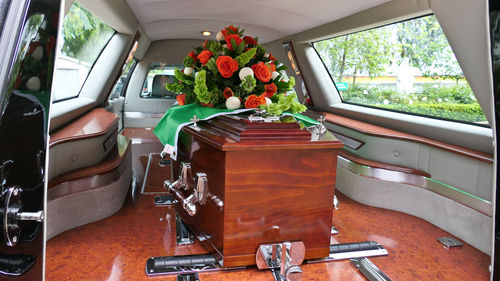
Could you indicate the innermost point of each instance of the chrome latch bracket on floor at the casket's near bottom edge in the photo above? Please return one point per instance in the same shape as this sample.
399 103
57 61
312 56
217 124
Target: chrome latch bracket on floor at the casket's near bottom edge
286 257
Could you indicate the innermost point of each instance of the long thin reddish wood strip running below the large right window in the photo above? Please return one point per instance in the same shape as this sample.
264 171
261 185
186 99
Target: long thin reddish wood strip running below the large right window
374 130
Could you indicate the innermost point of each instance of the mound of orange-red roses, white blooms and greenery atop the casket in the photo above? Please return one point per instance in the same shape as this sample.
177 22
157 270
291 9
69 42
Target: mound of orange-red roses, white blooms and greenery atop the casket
235 71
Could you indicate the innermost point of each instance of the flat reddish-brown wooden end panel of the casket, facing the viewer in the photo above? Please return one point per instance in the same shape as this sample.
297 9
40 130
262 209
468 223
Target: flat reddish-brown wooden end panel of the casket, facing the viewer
278 195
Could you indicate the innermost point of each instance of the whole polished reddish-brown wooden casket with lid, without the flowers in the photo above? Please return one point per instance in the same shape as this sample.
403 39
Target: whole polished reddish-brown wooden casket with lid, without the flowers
267 183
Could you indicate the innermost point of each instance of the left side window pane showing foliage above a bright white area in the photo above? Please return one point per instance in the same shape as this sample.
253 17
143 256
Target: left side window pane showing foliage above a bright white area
84 37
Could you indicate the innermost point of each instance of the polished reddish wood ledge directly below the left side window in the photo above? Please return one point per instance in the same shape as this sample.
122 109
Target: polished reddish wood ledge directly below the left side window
94 123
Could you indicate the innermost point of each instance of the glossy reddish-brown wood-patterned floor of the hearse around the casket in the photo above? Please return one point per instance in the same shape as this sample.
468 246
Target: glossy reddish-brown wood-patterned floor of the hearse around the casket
116 248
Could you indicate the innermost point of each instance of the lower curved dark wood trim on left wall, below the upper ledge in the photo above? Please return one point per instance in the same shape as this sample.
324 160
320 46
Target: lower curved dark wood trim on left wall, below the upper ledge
112 162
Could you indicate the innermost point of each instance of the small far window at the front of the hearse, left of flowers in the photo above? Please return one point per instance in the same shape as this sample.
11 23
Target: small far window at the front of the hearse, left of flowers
159 74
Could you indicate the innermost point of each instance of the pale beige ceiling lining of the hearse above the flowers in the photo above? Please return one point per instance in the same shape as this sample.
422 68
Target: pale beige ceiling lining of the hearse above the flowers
267 19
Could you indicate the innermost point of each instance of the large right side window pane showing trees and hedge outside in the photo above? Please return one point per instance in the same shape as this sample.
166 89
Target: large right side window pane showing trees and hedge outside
407 66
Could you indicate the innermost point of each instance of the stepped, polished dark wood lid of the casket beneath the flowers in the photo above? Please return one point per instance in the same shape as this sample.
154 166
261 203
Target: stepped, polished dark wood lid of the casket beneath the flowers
237 132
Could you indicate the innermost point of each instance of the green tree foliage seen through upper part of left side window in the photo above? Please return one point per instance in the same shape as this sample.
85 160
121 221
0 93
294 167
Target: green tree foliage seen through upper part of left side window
84 34
